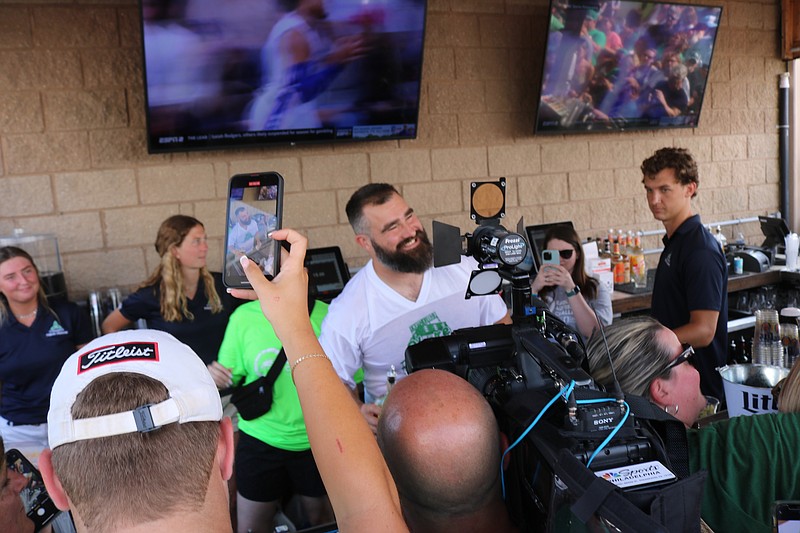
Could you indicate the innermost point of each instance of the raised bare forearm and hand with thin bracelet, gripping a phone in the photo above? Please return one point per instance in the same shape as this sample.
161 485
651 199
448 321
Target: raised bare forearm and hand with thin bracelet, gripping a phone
359 484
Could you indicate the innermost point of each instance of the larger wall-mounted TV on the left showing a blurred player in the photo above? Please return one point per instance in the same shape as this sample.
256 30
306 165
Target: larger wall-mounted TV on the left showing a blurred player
253 72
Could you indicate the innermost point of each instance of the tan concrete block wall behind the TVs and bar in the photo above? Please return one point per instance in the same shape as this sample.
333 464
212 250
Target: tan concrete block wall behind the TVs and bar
73 157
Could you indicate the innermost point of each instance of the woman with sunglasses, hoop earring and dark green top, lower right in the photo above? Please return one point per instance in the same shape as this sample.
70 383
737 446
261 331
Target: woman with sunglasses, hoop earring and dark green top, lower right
650 361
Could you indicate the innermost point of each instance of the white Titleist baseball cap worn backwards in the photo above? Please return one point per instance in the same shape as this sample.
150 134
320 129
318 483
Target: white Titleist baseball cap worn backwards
193 396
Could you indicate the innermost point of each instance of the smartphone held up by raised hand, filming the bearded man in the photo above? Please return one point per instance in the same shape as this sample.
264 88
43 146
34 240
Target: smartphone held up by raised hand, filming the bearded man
255 208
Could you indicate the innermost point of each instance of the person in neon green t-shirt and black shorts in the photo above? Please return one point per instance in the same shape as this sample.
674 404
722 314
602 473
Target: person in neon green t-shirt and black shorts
273 452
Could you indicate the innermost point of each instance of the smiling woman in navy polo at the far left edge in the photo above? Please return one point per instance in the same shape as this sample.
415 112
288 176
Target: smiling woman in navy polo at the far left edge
36 337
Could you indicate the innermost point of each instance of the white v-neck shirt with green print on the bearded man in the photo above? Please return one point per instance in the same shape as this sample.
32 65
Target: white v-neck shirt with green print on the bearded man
370 325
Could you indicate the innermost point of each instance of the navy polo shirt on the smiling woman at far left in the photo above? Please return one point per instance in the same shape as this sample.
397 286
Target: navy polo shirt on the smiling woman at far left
31 359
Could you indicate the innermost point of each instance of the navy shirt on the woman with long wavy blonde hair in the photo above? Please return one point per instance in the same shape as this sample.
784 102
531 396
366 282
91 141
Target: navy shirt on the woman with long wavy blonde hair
203 334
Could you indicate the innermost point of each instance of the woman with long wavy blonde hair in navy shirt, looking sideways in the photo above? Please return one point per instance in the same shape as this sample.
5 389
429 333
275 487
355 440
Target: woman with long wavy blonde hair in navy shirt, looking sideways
181 296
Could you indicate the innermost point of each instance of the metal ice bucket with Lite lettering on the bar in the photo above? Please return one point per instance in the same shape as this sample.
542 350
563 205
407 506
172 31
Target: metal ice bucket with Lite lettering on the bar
748 388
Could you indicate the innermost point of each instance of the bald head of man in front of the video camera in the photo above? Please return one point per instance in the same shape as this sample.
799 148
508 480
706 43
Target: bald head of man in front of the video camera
441 442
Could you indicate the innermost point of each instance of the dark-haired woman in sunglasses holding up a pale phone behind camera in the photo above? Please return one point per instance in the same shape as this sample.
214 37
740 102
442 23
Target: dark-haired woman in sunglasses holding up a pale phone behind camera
569 292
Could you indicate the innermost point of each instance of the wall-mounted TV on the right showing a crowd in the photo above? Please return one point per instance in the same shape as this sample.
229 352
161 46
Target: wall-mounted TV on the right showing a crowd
625 65
